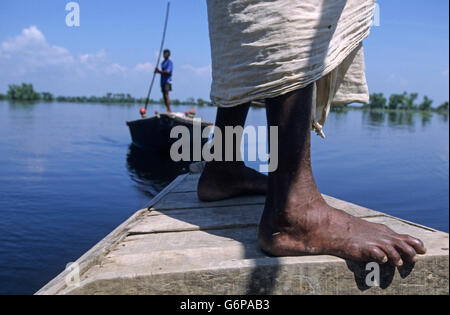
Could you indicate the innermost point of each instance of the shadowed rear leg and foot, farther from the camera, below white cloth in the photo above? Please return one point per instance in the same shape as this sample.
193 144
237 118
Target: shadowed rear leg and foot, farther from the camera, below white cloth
227 179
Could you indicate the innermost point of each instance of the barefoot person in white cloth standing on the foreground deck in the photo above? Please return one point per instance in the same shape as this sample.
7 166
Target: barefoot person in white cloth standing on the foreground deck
299 57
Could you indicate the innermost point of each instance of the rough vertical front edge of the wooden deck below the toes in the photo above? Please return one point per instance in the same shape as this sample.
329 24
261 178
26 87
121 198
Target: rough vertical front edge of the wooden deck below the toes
276 276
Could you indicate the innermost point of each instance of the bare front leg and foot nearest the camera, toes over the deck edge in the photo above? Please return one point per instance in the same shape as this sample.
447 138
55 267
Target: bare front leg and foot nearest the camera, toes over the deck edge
296 219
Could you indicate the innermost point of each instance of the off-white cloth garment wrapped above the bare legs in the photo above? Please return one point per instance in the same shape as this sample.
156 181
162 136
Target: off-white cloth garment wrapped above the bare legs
265 48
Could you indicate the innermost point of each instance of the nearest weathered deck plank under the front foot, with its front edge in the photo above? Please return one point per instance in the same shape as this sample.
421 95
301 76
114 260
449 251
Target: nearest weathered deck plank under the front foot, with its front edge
230 262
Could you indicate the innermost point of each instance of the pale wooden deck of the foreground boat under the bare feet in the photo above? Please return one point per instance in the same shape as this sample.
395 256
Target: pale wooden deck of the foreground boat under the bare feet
181 245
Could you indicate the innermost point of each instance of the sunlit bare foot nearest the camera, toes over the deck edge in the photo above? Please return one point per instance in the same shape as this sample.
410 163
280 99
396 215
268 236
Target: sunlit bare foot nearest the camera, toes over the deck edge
315 228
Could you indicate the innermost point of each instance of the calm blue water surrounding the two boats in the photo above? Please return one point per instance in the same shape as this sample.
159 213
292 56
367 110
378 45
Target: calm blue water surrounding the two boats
68 176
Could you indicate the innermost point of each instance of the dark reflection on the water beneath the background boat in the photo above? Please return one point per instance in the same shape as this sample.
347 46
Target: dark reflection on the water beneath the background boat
152 172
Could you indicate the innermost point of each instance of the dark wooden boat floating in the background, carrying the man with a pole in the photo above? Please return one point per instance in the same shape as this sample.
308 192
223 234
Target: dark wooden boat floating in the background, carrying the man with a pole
153 134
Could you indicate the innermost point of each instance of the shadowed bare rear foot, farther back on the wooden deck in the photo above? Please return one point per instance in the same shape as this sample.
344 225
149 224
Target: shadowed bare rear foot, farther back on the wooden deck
223 180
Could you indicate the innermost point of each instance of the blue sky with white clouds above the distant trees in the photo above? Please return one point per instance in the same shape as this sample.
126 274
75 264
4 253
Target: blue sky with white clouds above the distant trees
116 45
